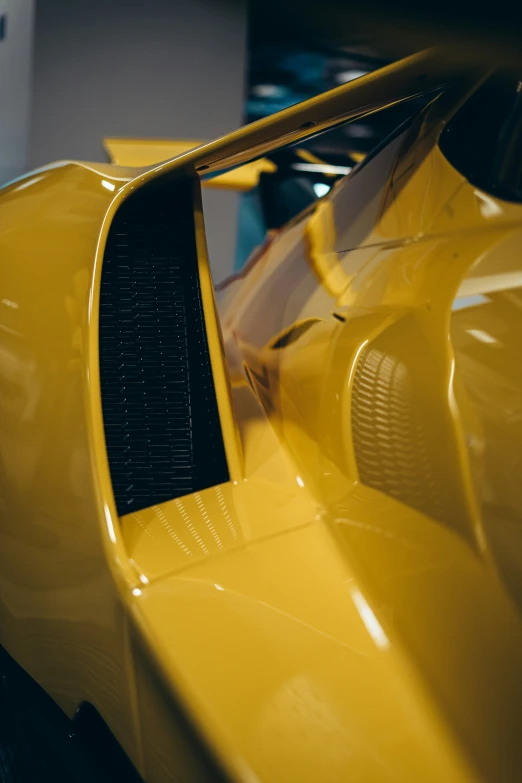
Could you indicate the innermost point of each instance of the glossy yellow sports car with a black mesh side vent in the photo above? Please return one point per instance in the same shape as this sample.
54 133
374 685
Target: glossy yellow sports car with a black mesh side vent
272 535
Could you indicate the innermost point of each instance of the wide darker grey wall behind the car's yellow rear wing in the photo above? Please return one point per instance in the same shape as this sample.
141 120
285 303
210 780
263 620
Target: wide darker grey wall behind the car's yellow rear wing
161 68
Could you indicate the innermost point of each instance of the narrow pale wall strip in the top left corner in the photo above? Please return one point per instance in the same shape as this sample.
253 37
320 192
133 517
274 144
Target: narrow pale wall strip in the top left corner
15 83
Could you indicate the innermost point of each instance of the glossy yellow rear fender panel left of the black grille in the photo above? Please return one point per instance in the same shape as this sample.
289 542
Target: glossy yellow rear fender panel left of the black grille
61 614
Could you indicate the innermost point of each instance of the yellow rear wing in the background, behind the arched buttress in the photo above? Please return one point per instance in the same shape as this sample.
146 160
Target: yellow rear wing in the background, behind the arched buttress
149 152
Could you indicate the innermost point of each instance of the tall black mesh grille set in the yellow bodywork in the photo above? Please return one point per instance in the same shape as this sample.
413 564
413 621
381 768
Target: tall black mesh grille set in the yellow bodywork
159 405
